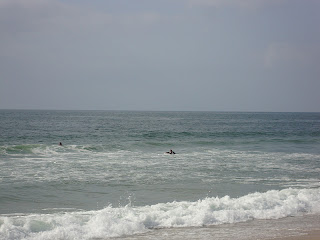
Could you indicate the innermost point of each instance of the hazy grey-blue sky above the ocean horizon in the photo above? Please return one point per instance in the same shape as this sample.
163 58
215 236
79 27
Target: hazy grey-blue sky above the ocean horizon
160 55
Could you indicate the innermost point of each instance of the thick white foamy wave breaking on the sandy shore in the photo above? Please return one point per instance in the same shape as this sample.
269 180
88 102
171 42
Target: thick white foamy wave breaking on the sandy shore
128 220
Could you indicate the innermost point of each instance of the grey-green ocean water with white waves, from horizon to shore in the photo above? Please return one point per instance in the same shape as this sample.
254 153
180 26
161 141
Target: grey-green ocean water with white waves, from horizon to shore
234 175
